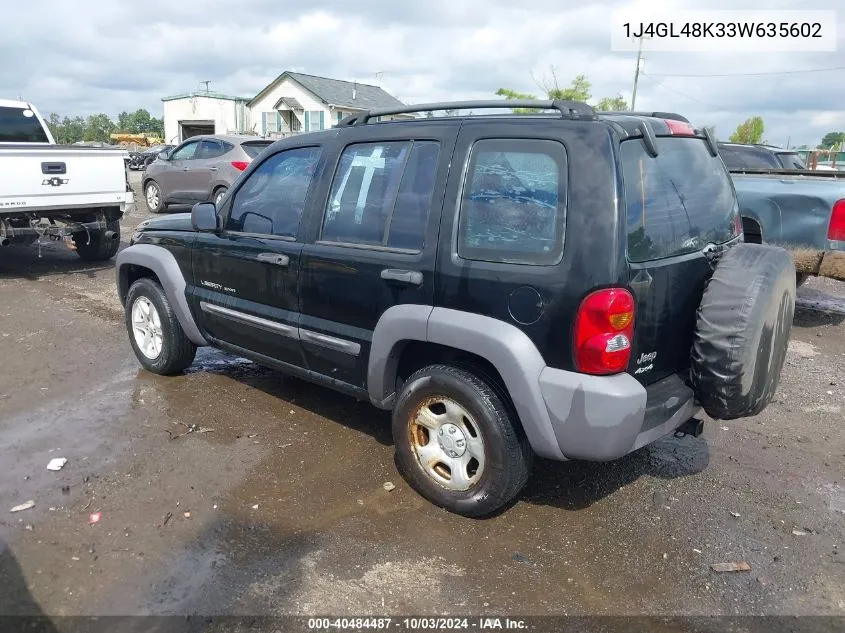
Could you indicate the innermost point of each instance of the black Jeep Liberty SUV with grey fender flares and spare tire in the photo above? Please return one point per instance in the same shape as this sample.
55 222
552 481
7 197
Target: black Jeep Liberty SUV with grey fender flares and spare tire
568 284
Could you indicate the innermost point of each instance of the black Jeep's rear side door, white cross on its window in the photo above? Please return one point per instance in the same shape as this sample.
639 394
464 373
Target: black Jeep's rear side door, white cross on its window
373 244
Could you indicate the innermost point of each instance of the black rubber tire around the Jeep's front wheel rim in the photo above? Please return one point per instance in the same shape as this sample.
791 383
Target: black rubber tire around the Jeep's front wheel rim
175 351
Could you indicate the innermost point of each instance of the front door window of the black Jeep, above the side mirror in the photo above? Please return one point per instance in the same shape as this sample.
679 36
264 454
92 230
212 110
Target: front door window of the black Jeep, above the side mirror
272 199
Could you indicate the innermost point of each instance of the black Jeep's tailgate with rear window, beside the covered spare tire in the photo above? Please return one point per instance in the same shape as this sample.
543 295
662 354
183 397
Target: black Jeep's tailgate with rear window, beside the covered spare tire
681 211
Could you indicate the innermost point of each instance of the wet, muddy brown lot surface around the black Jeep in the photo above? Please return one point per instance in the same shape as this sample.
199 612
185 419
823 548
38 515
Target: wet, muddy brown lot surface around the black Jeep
280 508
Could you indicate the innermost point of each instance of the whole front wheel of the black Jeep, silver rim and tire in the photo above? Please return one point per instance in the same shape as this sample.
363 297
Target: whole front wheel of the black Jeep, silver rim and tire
155 333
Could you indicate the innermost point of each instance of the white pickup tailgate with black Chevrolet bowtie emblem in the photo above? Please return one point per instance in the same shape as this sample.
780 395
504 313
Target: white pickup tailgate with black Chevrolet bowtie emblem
60 177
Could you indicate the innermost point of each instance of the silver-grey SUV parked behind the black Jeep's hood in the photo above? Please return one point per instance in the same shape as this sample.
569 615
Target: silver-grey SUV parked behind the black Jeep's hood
200 169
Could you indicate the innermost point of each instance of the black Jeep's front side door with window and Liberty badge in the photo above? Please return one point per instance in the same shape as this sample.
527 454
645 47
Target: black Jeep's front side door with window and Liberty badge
245 290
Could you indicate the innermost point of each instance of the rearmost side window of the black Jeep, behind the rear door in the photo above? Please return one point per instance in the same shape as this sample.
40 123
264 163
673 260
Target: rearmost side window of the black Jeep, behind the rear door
513 202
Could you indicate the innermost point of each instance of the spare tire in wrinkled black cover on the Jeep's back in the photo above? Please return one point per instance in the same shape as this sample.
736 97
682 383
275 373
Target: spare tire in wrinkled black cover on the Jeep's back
742 331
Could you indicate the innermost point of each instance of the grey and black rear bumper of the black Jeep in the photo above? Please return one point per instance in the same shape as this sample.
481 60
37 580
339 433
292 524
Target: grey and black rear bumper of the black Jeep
600 418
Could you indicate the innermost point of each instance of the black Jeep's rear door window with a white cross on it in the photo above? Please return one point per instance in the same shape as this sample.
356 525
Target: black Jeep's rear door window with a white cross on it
381 194
